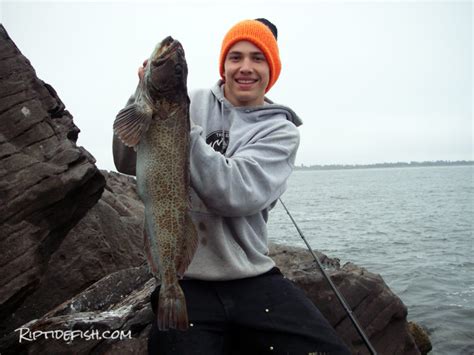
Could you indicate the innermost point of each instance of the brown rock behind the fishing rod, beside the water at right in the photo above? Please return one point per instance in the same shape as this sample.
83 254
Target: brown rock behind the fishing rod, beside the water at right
380 313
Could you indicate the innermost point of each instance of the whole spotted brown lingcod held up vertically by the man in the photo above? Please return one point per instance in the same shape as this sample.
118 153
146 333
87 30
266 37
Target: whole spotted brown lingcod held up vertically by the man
157 125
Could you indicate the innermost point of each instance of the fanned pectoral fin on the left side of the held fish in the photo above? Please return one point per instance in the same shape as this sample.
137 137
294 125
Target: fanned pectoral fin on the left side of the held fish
132 122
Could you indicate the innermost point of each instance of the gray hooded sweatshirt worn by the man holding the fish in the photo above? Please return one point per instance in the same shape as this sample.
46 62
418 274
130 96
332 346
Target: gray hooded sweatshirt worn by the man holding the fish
240 160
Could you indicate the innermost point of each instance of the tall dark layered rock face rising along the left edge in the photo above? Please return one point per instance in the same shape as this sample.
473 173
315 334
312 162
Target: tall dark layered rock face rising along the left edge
47 183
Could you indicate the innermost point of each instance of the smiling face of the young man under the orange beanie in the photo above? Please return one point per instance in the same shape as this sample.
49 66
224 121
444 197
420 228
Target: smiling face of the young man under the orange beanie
246 74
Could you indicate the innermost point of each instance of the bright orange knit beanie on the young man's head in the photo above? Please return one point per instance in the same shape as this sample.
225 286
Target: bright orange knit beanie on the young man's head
260 35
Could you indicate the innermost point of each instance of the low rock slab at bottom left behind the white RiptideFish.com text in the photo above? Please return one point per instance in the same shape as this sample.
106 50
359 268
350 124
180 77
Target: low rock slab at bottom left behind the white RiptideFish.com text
118 302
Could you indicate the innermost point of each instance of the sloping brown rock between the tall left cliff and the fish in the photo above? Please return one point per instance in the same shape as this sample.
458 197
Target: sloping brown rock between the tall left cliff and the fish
108 238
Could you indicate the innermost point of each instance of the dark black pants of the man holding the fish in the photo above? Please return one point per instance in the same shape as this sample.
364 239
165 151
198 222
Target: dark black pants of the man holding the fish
266 314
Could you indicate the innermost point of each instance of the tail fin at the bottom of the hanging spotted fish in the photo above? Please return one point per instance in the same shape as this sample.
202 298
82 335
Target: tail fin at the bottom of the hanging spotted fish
172 312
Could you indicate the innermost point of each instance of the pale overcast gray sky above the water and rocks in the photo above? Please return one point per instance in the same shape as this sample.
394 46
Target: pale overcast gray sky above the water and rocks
373 81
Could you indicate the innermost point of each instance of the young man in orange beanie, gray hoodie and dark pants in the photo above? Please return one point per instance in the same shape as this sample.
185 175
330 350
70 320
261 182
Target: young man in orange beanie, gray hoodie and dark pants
242 152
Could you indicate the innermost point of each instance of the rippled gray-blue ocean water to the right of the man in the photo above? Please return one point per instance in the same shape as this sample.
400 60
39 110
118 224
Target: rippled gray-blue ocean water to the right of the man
413 226
